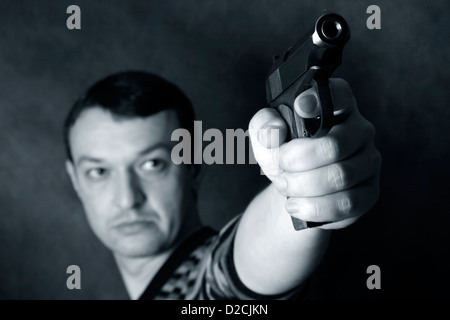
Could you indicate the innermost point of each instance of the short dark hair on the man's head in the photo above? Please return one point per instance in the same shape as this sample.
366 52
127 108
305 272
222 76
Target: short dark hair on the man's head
132 94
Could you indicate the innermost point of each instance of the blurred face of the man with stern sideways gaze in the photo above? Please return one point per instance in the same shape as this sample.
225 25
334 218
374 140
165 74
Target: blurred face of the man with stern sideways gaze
135 198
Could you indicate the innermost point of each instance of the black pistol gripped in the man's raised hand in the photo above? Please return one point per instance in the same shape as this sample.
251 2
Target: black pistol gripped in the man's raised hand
309 64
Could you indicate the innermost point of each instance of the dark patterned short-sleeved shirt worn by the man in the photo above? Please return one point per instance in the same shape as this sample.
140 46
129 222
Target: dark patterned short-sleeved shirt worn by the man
202 268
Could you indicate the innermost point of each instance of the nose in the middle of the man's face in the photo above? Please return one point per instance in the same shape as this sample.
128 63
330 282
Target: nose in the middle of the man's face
129 192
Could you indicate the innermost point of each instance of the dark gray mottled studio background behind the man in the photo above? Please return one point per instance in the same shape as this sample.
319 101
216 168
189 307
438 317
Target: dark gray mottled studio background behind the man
219 52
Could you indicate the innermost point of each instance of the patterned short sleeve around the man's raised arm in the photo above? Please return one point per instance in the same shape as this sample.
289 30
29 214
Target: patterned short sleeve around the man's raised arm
219 279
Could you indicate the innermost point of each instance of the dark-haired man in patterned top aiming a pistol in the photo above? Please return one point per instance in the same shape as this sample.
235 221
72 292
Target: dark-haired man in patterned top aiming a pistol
142 206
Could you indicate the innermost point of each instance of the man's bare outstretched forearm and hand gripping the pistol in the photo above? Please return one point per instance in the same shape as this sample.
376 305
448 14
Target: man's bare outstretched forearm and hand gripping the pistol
333 178
